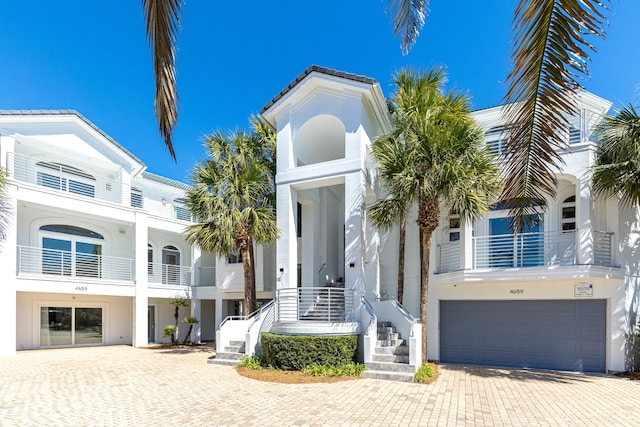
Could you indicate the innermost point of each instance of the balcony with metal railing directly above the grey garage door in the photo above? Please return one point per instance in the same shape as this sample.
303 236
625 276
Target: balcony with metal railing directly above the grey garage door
539 249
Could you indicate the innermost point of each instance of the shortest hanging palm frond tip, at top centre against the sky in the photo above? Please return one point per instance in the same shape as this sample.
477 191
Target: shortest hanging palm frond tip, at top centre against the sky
408 19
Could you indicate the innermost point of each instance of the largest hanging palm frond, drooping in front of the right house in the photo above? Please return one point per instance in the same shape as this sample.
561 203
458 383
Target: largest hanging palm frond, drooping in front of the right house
550 54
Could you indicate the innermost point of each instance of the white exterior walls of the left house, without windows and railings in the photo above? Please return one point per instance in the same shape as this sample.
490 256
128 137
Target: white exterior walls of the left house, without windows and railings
67 138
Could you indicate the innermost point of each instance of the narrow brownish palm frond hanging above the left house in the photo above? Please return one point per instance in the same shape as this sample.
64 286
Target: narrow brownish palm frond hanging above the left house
162 23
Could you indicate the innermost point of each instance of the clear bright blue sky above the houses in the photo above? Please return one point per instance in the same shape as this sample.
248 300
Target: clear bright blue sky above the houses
233 57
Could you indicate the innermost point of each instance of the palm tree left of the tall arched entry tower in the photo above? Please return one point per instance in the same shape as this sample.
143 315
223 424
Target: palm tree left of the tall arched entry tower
232 196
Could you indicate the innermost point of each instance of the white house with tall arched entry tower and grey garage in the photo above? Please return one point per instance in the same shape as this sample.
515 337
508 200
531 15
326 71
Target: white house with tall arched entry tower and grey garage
563 295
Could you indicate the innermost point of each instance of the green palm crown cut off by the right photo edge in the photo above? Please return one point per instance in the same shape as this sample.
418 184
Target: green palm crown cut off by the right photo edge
616 172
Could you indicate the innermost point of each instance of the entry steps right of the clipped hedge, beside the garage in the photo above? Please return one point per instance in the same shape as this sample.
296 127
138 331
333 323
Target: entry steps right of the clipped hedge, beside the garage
390 361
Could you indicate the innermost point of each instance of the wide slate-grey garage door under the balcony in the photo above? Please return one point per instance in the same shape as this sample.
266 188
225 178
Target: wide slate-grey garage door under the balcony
564 335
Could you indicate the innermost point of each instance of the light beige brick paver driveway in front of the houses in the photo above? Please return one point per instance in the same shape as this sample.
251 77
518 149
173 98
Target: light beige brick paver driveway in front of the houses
126 386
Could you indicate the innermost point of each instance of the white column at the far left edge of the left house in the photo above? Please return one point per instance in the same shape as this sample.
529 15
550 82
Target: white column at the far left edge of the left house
8 286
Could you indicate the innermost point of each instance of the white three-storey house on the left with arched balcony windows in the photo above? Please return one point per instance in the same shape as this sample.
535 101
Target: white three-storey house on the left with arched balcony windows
95 248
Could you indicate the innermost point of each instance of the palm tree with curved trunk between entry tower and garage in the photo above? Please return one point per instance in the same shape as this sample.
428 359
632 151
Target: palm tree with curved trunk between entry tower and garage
447 165
